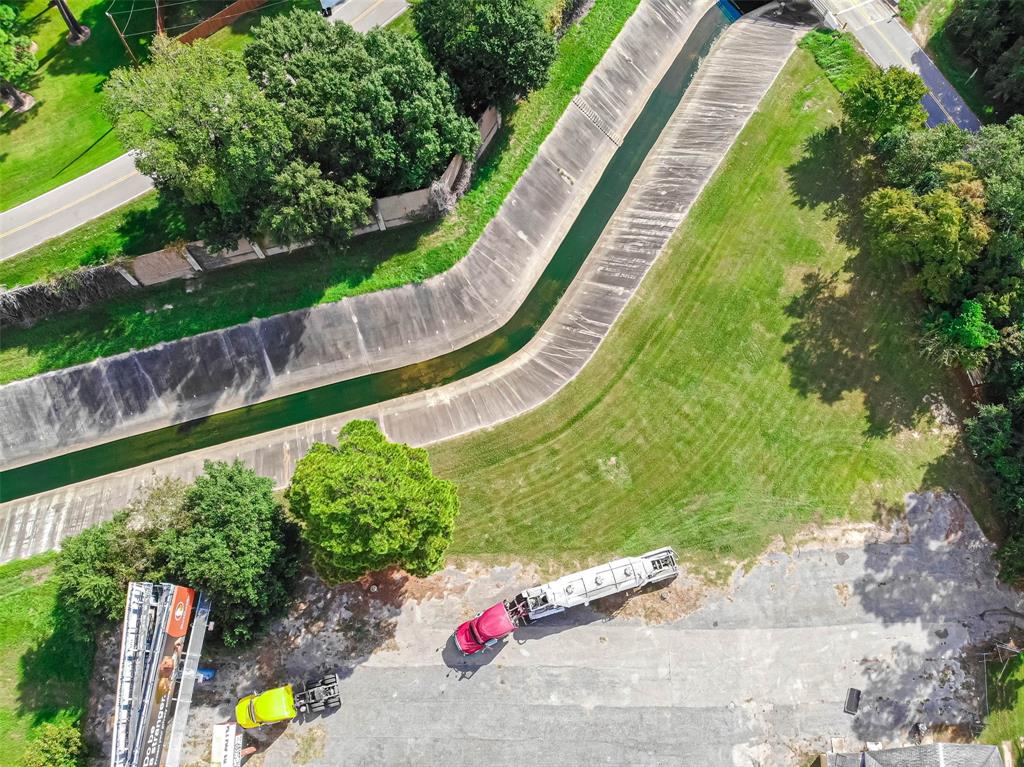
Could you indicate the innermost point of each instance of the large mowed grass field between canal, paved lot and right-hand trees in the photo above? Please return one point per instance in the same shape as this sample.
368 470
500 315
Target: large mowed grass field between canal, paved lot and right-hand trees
763 379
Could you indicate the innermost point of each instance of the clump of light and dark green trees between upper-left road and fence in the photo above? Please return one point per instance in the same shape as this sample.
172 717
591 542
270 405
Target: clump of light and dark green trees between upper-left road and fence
295 137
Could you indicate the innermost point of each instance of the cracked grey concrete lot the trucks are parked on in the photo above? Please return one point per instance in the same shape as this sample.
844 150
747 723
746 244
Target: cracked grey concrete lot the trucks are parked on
753 673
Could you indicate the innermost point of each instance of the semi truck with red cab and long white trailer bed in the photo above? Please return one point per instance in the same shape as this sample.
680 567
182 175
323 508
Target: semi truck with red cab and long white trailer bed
489 627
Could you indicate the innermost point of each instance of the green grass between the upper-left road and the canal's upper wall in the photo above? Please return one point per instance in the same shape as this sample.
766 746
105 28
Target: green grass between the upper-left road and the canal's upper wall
267 288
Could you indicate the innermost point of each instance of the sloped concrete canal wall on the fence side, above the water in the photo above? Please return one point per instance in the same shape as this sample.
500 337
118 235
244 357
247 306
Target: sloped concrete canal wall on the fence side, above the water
266 359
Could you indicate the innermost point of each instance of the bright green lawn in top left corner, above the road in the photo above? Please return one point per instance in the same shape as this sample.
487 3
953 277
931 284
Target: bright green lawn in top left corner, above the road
66 135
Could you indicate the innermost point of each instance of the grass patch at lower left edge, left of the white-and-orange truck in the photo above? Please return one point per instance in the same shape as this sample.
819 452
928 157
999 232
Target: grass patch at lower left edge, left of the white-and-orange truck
46 665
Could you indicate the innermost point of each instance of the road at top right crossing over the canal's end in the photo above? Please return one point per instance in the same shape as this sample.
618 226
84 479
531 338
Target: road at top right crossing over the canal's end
890 45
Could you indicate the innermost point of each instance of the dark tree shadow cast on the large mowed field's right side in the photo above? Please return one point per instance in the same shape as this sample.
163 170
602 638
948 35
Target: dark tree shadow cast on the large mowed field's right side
856 331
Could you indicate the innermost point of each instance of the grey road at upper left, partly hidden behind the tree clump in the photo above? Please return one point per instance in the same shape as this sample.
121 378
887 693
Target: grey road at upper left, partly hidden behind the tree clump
118 183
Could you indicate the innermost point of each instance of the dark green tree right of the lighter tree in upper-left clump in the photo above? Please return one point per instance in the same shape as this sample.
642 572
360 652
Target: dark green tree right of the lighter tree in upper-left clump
368 108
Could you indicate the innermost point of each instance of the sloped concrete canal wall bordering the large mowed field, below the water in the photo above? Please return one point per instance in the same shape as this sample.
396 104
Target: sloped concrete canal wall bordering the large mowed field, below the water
726 94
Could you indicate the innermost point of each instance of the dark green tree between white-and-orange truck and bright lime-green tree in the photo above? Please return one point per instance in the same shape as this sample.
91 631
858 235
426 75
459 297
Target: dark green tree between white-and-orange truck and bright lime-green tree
230 540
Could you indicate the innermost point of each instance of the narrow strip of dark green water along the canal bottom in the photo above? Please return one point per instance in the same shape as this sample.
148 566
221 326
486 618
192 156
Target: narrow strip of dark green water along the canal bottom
377 388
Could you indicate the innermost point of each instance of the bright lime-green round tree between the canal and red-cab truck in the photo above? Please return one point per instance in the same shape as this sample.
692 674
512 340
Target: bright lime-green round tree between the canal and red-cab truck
369 504
